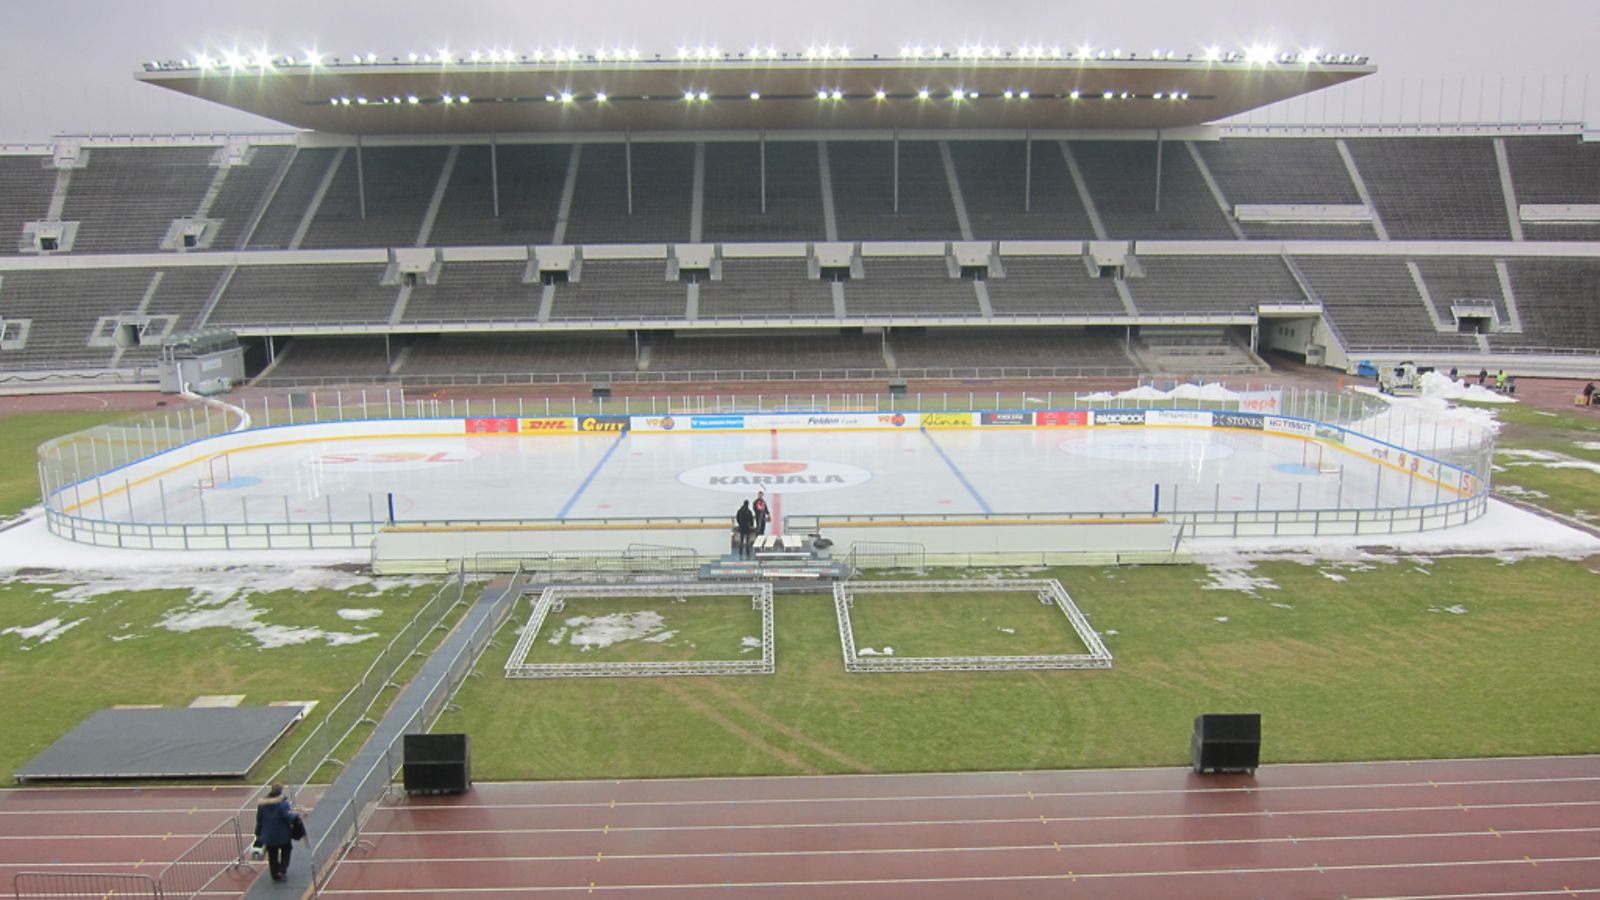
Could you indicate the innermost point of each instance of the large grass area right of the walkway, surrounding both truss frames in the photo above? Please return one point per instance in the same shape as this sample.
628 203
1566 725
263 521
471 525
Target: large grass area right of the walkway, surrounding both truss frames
1374 667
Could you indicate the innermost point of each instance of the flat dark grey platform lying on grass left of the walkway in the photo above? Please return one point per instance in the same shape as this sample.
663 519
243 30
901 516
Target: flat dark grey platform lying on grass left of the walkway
164 744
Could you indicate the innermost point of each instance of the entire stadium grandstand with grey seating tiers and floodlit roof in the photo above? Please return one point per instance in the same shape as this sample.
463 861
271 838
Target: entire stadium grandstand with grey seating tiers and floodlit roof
614 219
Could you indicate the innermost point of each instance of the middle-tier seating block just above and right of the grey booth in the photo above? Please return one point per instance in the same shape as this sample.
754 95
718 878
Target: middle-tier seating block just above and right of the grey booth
303 295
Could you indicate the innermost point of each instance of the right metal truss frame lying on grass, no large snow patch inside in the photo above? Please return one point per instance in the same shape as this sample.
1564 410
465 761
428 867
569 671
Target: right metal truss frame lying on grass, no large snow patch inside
1049 592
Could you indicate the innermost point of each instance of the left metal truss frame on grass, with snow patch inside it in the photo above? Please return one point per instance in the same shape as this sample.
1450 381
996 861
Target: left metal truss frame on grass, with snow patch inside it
556 598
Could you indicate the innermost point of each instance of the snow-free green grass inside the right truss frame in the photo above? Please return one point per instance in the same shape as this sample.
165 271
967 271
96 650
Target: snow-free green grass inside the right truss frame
986 624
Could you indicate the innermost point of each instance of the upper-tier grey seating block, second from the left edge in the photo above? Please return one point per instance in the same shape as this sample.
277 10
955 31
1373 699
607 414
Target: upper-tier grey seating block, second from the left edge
126 199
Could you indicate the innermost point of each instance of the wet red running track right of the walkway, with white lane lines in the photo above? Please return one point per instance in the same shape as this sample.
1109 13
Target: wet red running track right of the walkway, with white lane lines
1433 829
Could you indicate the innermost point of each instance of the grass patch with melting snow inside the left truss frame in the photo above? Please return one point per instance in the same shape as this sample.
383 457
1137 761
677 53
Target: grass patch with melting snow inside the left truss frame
649 630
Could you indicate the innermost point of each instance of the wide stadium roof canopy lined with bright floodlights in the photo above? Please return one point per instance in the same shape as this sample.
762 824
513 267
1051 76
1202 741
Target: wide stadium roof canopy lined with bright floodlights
586 94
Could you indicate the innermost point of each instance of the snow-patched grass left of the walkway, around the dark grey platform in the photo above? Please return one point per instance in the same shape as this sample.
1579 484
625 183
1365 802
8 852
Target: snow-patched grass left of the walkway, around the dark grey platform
118 651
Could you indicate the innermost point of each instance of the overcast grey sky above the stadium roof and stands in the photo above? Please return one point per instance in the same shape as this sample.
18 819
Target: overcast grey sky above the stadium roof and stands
70 68
